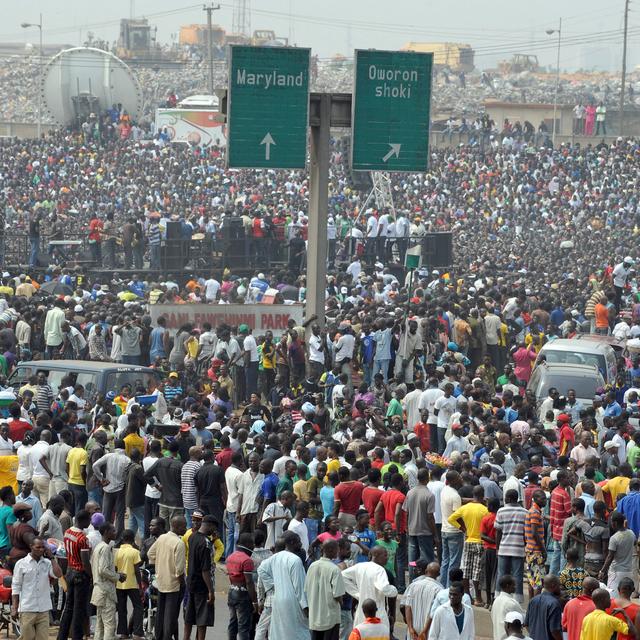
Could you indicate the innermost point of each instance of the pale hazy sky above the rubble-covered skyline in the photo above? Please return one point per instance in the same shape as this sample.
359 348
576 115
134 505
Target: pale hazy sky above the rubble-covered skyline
591 29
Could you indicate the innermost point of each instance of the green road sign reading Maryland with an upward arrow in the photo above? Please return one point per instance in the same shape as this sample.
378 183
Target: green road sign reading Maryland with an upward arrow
268 107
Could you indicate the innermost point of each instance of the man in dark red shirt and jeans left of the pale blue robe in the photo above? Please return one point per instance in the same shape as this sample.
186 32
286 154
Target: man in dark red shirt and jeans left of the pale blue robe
242 599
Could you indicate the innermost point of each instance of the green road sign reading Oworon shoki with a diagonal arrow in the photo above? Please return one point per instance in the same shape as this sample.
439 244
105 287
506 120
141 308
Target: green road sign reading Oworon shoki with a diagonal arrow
390 120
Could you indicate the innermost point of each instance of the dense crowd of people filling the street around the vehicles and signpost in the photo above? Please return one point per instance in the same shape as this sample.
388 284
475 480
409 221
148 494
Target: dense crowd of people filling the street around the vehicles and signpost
383 465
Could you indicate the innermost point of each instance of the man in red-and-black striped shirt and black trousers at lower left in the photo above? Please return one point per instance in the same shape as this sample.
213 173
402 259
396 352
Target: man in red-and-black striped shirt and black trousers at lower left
78 578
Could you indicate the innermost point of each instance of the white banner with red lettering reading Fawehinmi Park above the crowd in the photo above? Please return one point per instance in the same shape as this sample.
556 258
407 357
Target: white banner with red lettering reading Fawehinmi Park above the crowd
260 317
